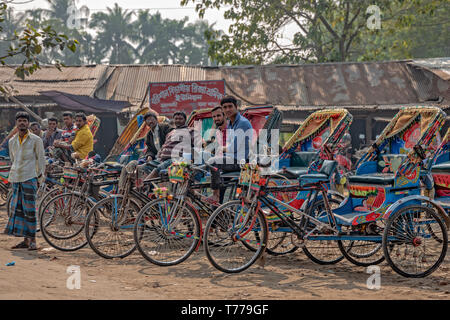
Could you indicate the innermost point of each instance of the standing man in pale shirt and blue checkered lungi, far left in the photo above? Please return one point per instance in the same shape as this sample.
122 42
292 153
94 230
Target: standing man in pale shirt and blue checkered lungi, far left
28 165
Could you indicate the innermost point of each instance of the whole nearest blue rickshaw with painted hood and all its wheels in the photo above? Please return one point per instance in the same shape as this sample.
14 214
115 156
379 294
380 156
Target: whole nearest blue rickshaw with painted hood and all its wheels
413 239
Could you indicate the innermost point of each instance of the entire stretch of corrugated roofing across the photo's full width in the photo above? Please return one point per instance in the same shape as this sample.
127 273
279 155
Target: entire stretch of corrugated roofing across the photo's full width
393 83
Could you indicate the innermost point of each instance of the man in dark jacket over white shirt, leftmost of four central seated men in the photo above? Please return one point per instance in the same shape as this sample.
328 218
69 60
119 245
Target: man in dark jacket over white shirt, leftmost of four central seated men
156 136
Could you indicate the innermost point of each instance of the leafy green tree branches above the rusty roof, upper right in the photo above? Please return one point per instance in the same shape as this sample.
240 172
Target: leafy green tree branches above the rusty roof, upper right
326 30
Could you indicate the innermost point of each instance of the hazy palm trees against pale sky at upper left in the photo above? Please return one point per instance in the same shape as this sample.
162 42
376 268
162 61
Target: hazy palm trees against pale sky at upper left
120 36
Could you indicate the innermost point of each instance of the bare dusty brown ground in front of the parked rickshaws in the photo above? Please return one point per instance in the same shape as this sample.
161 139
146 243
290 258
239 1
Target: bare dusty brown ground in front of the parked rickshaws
42 275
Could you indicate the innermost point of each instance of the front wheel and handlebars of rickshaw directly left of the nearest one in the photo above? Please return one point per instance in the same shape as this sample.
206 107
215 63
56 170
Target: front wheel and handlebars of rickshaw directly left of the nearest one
169 229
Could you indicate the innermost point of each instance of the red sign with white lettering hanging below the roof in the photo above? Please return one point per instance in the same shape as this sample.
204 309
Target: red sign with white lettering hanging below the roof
168 97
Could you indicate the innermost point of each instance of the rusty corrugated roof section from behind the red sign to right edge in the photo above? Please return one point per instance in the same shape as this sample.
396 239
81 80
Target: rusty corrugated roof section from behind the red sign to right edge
339 84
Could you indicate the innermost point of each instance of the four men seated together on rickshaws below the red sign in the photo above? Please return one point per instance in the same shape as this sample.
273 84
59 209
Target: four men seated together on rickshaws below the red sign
162 140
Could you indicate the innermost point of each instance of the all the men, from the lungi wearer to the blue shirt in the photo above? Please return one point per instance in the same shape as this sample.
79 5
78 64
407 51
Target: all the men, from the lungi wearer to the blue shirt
29 145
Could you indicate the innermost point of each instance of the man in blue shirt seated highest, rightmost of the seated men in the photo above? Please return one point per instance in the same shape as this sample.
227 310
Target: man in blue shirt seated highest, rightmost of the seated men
239 137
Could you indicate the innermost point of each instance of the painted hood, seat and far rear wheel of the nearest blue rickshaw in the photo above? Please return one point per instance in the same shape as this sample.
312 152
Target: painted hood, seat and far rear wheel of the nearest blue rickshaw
386 175
